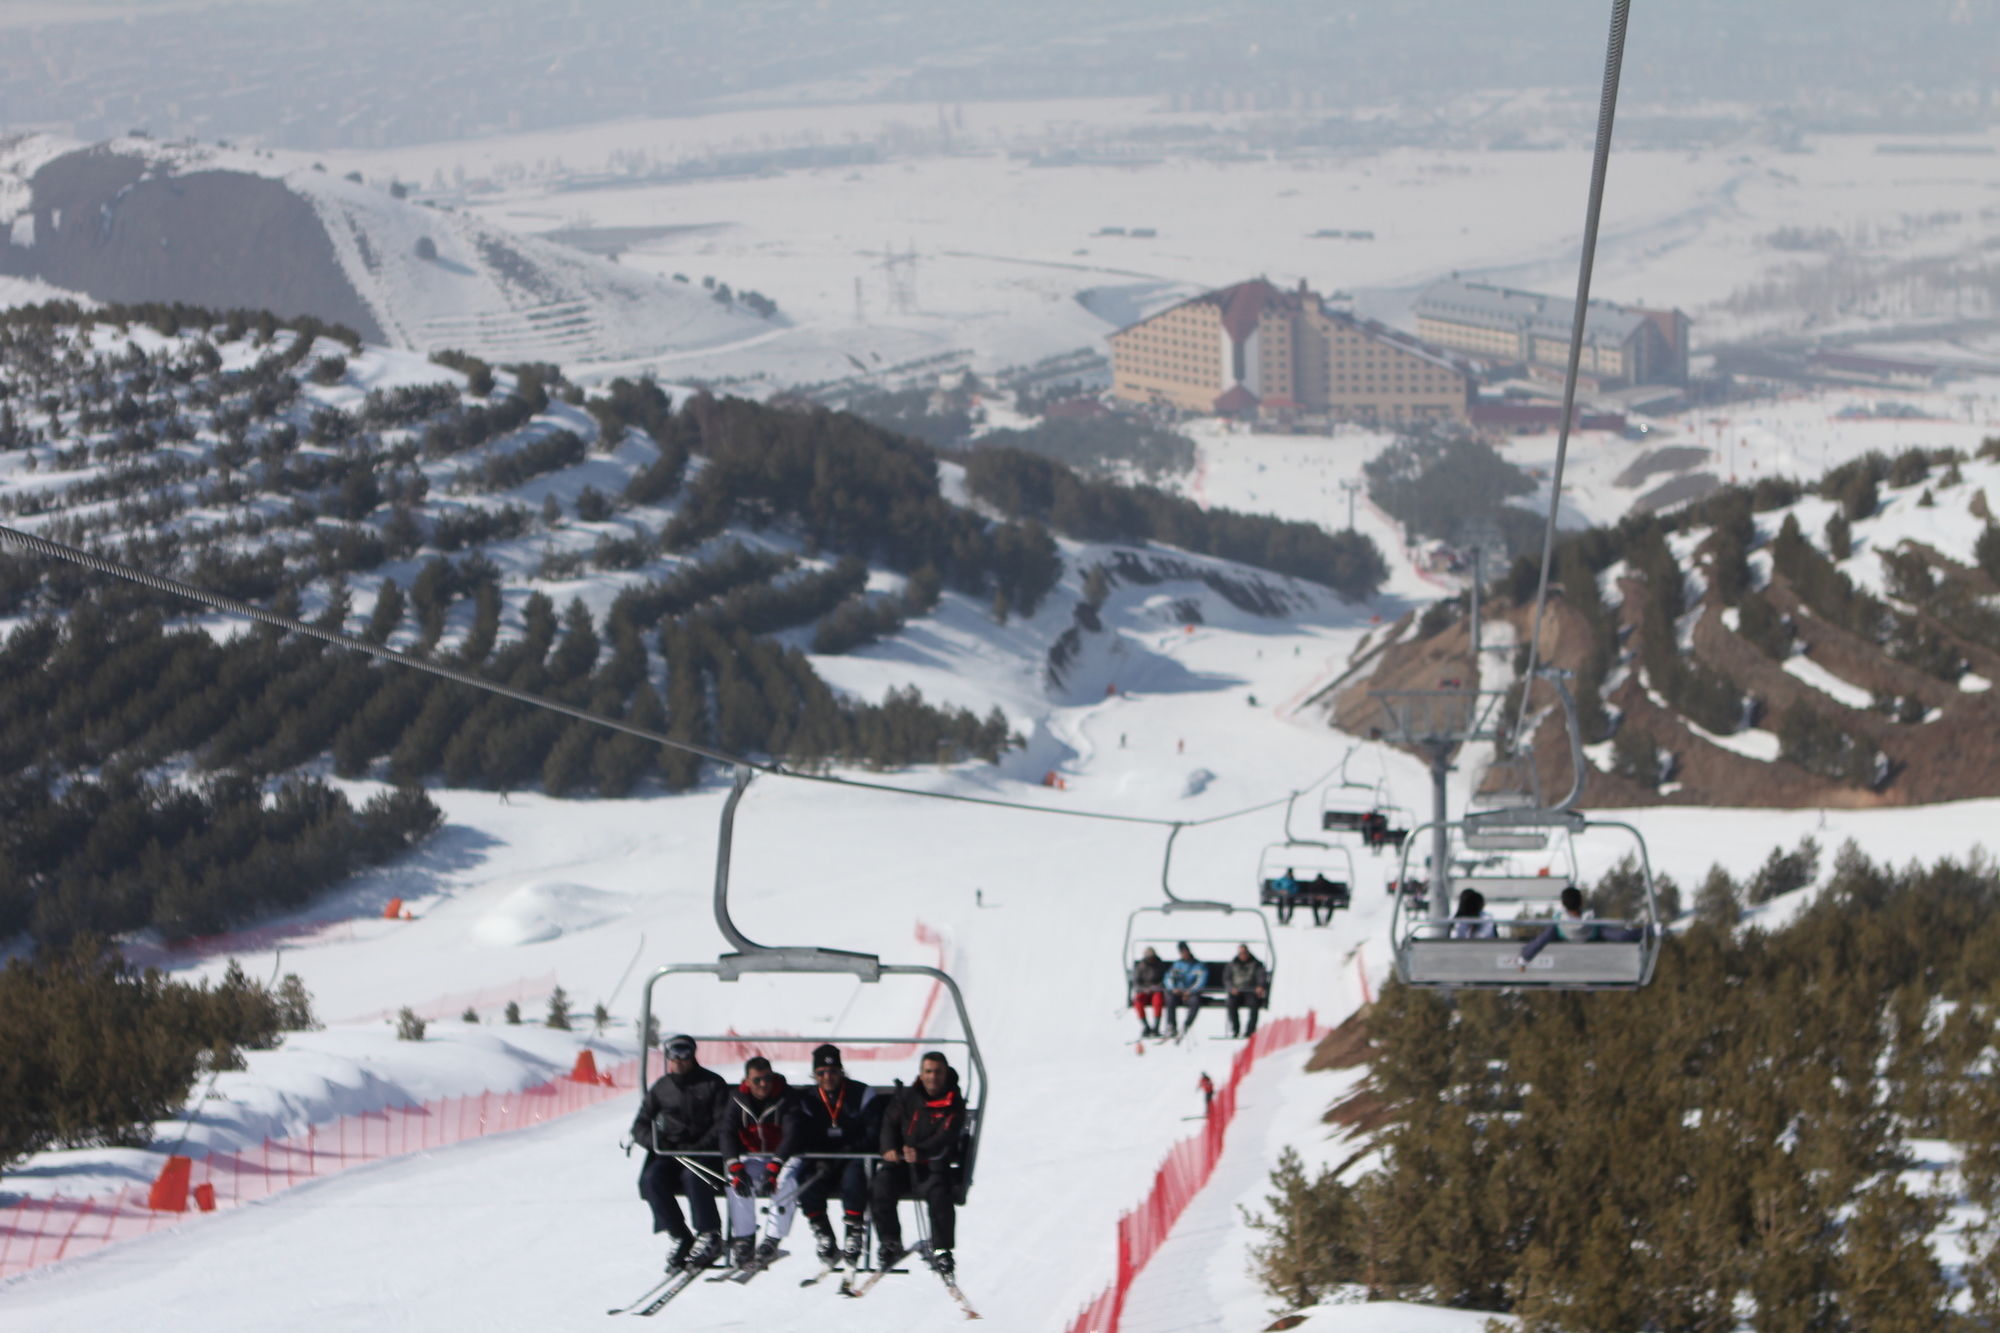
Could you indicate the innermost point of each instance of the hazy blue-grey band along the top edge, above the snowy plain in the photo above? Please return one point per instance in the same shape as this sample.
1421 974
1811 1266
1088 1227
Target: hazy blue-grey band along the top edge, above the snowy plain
379 73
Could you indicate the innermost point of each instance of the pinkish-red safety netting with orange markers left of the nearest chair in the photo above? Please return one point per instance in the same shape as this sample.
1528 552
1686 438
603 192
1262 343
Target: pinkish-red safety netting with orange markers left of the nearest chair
41 1232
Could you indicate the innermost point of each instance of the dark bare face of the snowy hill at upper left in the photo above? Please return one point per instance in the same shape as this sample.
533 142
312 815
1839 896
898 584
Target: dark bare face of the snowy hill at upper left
221 239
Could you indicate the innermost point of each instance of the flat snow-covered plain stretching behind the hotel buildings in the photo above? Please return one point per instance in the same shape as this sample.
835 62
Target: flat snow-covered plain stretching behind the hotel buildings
1009 213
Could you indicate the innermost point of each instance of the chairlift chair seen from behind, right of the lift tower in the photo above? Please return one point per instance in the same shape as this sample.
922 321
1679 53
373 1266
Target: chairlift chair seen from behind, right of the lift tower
1427 956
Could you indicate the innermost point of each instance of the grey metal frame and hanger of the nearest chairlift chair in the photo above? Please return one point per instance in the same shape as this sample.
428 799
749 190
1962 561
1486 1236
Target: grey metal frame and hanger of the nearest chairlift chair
753 960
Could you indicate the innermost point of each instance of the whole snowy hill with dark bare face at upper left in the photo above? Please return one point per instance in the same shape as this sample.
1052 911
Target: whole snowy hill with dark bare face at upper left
139 221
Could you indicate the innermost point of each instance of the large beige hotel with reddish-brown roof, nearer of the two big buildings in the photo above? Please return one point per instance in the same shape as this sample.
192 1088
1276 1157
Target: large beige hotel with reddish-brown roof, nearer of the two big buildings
1263 351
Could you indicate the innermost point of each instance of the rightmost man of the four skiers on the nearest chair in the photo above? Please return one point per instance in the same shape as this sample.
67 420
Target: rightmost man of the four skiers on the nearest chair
923 1132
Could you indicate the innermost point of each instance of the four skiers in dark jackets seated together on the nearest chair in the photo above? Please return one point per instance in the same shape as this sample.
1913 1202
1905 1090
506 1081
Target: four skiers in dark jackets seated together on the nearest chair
797 1148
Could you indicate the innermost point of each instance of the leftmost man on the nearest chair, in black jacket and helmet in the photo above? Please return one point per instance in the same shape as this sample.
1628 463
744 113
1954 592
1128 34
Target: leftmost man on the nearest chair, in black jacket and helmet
681 1114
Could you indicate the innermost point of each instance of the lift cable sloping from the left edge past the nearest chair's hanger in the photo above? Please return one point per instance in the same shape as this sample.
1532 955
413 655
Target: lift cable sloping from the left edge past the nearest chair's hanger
161 583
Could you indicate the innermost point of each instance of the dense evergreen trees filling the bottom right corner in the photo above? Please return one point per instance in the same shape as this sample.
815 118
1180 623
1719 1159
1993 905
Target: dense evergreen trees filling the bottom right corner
1719 1150
